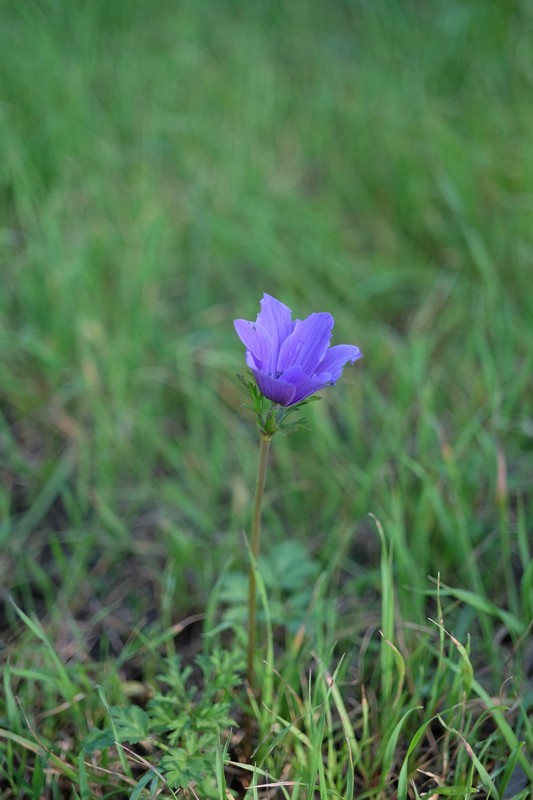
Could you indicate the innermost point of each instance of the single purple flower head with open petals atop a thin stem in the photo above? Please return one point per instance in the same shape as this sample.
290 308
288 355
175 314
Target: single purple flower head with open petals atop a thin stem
292 359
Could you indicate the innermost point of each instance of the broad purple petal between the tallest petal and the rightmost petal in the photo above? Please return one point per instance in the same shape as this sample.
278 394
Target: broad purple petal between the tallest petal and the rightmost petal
307 344
